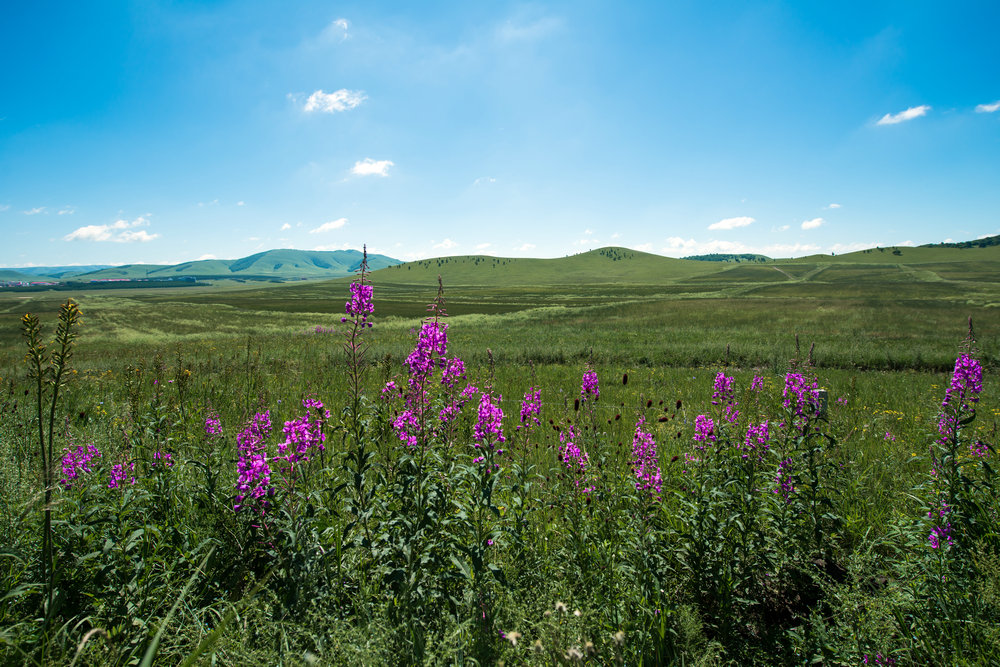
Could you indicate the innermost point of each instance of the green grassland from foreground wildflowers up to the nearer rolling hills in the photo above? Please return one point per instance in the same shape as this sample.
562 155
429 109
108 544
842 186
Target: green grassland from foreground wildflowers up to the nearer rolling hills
780 463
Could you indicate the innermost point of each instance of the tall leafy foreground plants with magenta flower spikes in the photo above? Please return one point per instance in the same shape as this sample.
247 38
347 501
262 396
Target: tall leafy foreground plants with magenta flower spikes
422 517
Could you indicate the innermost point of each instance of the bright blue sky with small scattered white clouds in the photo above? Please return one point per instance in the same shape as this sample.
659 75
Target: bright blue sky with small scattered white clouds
161 132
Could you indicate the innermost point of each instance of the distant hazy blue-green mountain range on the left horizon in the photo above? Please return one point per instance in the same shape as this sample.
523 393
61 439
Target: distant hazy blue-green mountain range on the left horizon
269 265
